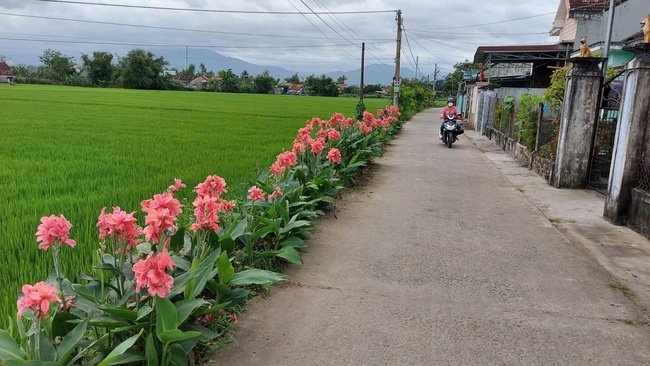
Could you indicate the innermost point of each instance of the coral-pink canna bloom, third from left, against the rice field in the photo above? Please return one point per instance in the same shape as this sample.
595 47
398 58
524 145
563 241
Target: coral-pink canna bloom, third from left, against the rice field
120 226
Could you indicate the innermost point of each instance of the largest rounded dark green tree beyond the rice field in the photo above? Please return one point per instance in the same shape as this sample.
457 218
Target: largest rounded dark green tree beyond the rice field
141 70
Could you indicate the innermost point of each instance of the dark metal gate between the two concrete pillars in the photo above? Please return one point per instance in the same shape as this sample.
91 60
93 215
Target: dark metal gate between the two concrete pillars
605 131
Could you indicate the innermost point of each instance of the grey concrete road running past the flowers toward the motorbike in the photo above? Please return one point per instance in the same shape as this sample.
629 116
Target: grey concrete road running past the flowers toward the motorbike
440 260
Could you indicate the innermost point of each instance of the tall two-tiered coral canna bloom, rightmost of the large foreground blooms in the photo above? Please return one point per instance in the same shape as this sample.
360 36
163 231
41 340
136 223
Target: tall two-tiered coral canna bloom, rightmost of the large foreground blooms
208 204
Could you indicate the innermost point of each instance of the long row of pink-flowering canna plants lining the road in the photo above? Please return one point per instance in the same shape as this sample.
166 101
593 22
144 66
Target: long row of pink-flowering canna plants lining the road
161 293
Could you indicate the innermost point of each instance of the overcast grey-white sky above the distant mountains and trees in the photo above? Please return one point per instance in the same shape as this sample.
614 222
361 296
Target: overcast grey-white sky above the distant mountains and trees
304 35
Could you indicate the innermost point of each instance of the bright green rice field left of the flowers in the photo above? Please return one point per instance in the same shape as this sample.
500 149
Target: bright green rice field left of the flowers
72 151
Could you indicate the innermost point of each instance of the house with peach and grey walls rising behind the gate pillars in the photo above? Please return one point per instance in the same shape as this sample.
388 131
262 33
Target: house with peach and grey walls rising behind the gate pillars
589 18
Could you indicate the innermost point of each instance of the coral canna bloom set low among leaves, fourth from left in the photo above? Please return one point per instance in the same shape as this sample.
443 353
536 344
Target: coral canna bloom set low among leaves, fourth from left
150 274
